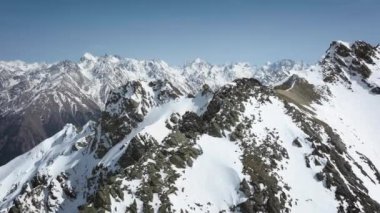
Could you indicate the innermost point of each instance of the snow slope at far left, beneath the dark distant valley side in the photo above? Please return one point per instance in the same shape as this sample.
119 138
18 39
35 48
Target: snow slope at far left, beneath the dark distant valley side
53 156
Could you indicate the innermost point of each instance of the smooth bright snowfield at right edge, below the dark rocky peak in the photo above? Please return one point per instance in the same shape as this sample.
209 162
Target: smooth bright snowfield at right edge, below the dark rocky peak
355 115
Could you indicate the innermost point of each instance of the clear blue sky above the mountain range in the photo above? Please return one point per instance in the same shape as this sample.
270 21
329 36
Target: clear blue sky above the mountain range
177 31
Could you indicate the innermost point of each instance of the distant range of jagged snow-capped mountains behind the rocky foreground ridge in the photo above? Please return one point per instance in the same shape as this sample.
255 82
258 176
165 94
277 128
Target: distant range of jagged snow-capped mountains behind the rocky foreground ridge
37 100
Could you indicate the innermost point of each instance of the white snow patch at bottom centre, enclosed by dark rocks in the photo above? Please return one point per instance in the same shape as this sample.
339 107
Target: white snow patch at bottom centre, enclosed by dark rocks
214 180
